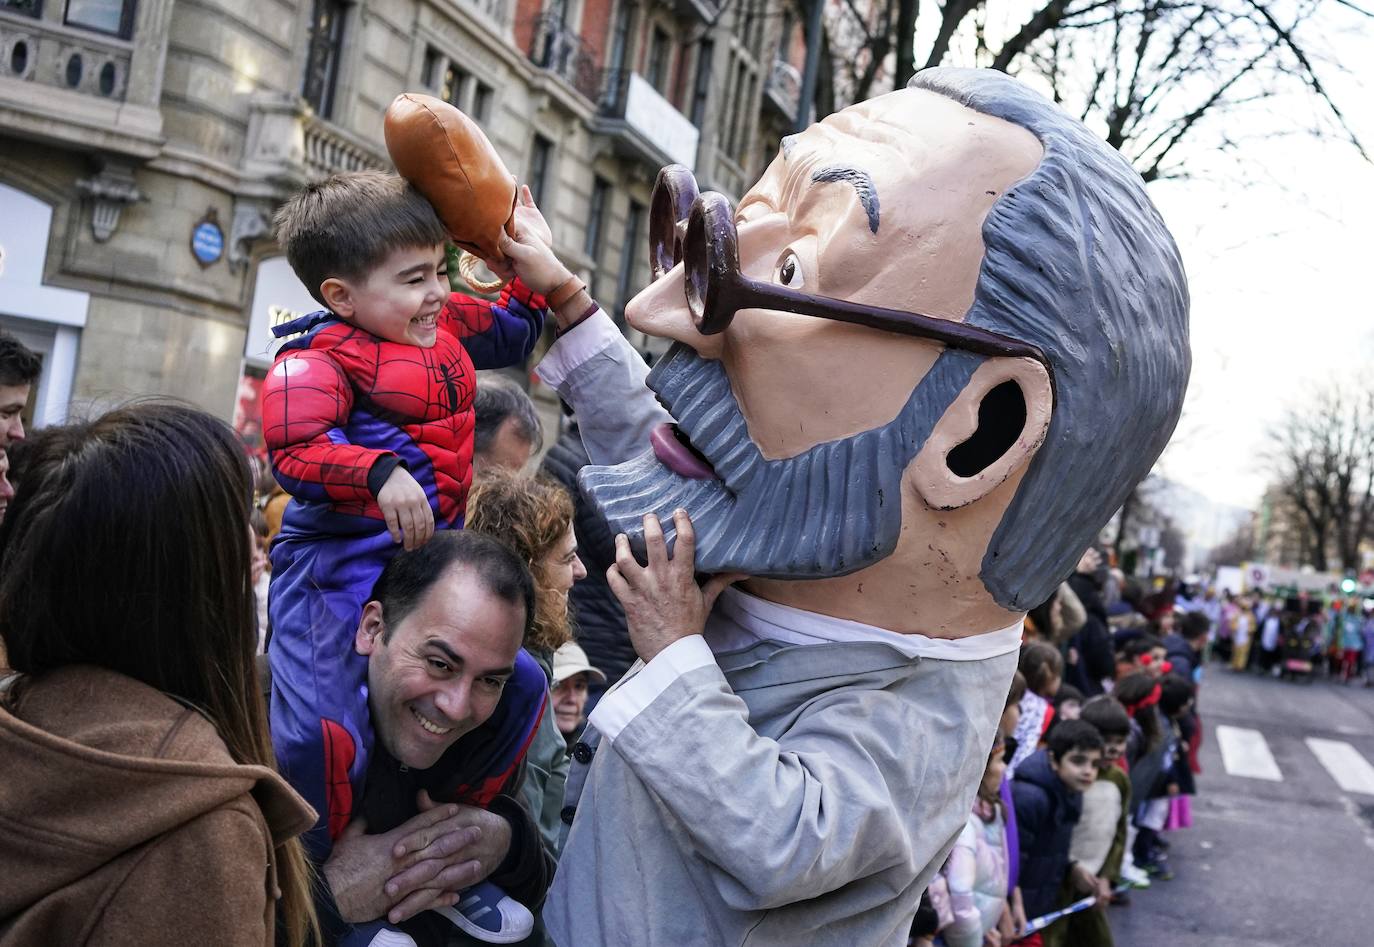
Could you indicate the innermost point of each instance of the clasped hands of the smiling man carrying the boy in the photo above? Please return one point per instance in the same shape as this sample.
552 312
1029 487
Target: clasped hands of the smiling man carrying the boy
362 869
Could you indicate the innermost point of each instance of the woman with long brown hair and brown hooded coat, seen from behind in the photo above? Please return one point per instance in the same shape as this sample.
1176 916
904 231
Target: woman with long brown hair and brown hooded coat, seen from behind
141 801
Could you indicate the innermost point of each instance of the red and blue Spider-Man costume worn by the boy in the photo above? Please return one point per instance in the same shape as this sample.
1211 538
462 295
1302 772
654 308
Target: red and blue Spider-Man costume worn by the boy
341 409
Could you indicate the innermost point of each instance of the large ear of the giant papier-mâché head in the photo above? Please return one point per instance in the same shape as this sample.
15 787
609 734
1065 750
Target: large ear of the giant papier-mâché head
991 431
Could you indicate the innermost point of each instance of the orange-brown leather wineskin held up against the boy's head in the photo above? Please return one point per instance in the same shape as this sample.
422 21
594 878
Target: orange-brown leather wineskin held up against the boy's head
449 160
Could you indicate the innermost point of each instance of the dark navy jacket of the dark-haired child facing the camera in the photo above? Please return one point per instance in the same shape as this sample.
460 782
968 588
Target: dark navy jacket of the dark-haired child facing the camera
1046 816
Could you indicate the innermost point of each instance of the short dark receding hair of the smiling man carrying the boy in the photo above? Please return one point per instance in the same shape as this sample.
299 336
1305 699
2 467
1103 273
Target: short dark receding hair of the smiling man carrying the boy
409 578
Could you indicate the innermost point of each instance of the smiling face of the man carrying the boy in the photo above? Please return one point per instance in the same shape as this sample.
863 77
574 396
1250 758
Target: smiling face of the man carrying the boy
440 671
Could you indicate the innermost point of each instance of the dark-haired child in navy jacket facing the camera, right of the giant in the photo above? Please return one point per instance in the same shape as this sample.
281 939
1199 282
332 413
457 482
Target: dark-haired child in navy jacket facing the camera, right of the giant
1048 791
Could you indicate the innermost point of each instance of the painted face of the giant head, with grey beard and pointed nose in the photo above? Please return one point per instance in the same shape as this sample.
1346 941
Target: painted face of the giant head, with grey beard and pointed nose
881 204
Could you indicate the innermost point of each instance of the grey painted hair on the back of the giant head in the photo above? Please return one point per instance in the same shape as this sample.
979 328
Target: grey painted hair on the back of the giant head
1077 262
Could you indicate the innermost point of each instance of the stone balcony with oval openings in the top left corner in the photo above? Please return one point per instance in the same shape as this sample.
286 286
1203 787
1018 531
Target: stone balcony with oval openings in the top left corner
82 90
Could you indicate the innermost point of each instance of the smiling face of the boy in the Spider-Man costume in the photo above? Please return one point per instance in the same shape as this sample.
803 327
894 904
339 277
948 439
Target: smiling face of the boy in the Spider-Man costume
399 300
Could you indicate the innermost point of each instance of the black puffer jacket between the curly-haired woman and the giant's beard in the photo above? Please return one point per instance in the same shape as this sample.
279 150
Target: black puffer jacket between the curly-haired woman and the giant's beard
600 621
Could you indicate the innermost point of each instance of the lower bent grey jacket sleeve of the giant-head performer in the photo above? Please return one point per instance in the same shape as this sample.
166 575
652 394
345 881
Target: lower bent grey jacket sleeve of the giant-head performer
782 821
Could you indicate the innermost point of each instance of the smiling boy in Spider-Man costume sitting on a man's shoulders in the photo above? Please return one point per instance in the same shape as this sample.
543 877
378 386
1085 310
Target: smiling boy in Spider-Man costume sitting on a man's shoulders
368 414
